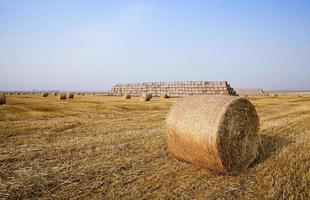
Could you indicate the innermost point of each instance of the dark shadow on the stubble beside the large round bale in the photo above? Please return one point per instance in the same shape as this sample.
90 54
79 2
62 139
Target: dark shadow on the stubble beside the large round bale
270 146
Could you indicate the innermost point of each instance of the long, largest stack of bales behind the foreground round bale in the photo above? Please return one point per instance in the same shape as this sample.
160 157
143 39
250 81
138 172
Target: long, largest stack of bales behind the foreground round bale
173 89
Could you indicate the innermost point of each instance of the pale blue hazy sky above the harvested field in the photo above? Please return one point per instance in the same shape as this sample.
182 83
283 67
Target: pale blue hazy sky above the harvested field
92 44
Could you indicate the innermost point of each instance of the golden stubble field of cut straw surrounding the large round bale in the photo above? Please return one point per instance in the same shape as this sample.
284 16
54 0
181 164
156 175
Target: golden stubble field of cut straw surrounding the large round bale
108 147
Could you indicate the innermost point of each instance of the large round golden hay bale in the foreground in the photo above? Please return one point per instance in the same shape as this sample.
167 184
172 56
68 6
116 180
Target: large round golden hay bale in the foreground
218 132
